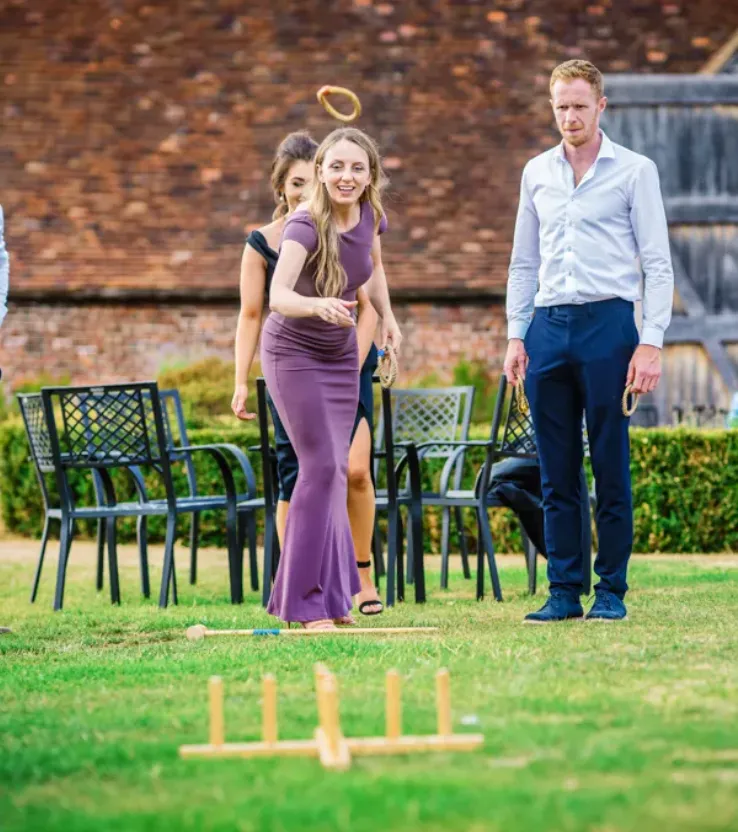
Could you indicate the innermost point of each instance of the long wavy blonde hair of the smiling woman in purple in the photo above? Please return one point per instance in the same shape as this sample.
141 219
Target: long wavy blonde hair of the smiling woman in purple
330 276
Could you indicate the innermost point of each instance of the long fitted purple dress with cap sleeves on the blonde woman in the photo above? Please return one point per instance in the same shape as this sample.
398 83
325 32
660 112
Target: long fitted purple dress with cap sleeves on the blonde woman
311 368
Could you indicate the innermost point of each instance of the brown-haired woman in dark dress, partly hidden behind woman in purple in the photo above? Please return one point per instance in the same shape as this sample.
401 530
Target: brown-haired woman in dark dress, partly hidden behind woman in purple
291 179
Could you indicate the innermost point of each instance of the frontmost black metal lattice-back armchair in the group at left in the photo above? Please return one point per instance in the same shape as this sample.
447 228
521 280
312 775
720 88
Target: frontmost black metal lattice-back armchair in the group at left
107 427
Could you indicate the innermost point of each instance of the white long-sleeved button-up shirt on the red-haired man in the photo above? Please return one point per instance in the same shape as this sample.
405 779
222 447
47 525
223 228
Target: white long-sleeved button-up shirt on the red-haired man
591 242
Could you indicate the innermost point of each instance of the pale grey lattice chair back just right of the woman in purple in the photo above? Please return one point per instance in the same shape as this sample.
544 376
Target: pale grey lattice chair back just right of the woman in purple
422 415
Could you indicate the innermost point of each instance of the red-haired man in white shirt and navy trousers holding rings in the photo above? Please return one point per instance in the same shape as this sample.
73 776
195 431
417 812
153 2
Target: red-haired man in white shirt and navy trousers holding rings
590 225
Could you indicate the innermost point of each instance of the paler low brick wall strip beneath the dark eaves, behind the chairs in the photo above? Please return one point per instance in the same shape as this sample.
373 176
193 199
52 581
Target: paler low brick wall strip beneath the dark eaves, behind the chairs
106 343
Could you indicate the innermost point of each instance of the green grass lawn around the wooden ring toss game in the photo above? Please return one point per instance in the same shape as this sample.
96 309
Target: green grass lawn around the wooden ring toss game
587 726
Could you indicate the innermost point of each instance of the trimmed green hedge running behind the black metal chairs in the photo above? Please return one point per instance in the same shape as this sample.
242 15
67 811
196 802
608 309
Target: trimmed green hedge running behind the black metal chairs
685 490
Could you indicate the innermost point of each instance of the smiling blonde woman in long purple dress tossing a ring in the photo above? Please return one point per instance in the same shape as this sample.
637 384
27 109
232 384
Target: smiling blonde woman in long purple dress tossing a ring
311 364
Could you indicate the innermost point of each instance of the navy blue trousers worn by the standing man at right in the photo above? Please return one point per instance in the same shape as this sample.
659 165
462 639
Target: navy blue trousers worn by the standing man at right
579 356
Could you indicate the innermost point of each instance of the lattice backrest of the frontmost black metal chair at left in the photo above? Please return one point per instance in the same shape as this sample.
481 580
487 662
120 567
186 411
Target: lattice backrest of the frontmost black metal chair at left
106 426
